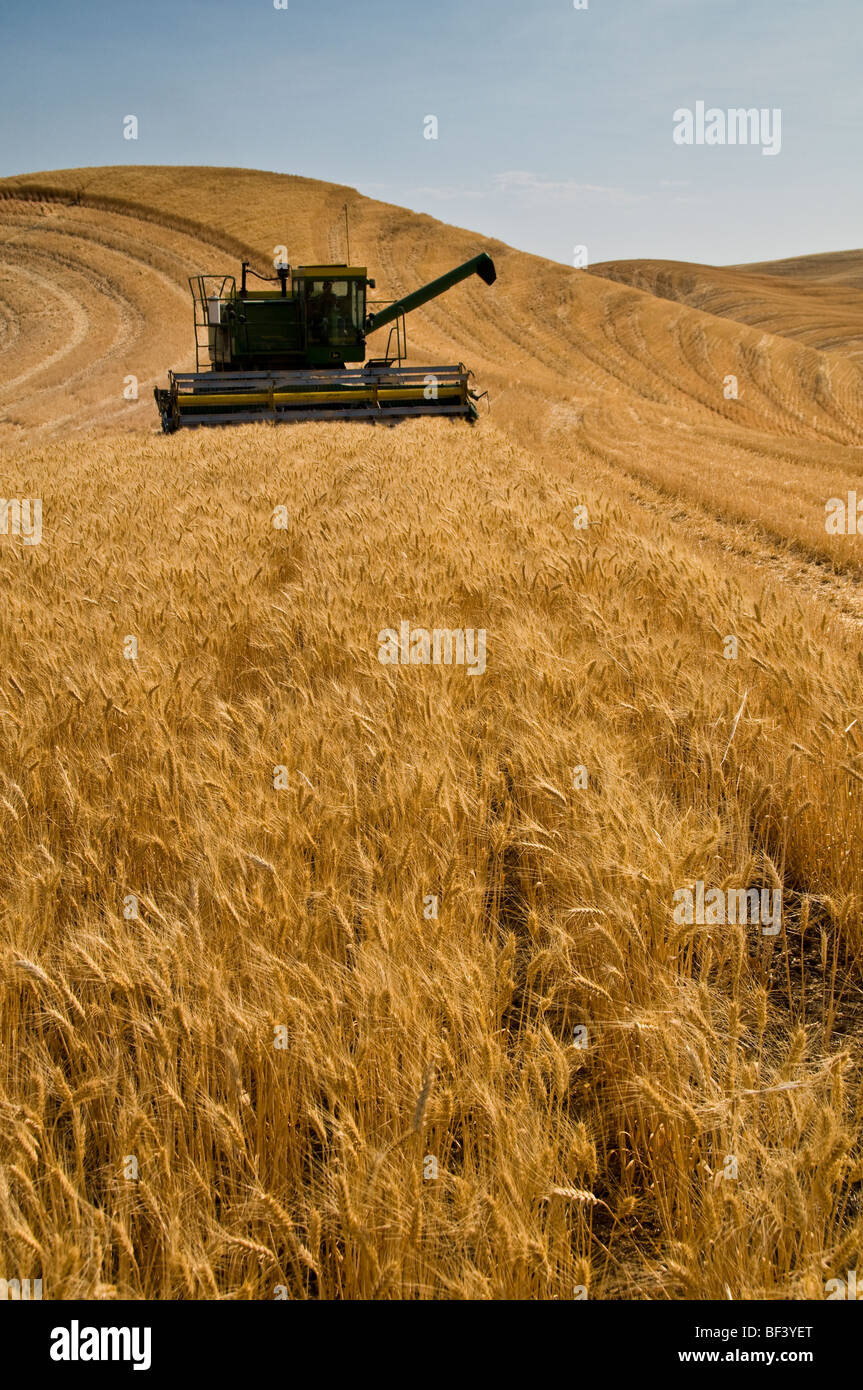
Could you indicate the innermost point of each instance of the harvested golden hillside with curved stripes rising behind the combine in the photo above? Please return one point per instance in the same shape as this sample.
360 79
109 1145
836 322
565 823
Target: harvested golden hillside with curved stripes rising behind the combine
94 297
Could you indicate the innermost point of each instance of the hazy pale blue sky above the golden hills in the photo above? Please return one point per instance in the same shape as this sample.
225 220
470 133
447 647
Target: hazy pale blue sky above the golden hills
555 127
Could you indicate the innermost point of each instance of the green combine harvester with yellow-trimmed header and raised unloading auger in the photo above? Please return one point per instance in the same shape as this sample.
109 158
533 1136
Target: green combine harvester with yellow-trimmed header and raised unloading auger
284 354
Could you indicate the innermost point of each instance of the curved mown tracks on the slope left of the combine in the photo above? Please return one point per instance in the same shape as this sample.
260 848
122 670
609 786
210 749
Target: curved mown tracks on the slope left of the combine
109 284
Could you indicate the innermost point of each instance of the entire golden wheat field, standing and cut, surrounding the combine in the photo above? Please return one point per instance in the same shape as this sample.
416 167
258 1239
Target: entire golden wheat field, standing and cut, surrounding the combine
334 979
